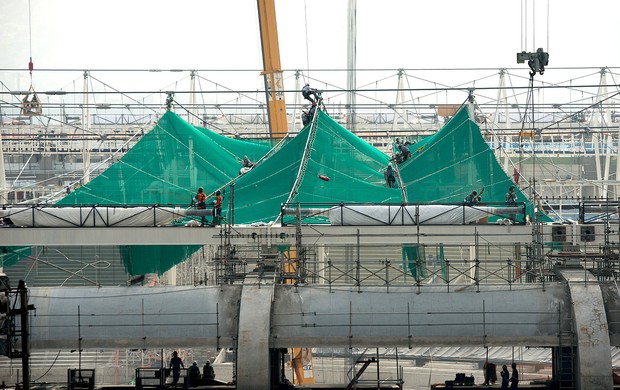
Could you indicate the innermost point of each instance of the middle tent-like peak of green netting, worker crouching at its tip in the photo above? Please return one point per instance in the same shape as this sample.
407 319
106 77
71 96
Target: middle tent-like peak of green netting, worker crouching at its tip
340 167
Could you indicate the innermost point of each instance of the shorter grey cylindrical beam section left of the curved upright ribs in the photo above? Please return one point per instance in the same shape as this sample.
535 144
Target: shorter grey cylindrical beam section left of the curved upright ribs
134 317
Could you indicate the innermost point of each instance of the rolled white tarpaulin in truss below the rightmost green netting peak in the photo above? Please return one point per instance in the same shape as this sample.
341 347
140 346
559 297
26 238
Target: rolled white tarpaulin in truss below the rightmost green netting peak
409 215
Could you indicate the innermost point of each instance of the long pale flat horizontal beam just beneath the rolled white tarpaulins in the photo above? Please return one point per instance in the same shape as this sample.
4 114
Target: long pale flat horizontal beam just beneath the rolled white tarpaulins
240 235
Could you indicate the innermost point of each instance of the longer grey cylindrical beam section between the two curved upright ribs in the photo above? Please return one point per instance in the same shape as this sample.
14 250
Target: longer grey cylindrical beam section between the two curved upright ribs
323 316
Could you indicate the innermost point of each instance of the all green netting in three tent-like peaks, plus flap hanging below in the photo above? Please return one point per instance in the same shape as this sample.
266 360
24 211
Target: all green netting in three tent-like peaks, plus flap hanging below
168 164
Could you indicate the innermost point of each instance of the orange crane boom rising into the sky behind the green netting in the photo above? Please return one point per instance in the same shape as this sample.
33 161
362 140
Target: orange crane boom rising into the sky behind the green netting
274 81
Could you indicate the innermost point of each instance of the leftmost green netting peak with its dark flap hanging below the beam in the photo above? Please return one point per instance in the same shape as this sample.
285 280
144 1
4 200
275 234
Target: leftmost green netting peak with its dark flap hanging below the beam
166 166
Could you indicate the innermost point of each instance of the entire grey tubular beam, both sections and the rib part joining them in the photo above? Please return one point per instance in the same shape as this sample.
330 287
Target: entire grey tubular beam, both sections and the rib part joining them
302 316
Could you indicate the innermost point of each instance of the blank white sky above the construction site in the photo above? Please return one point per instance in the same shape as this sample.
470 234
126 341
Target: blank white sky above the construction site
211 34
